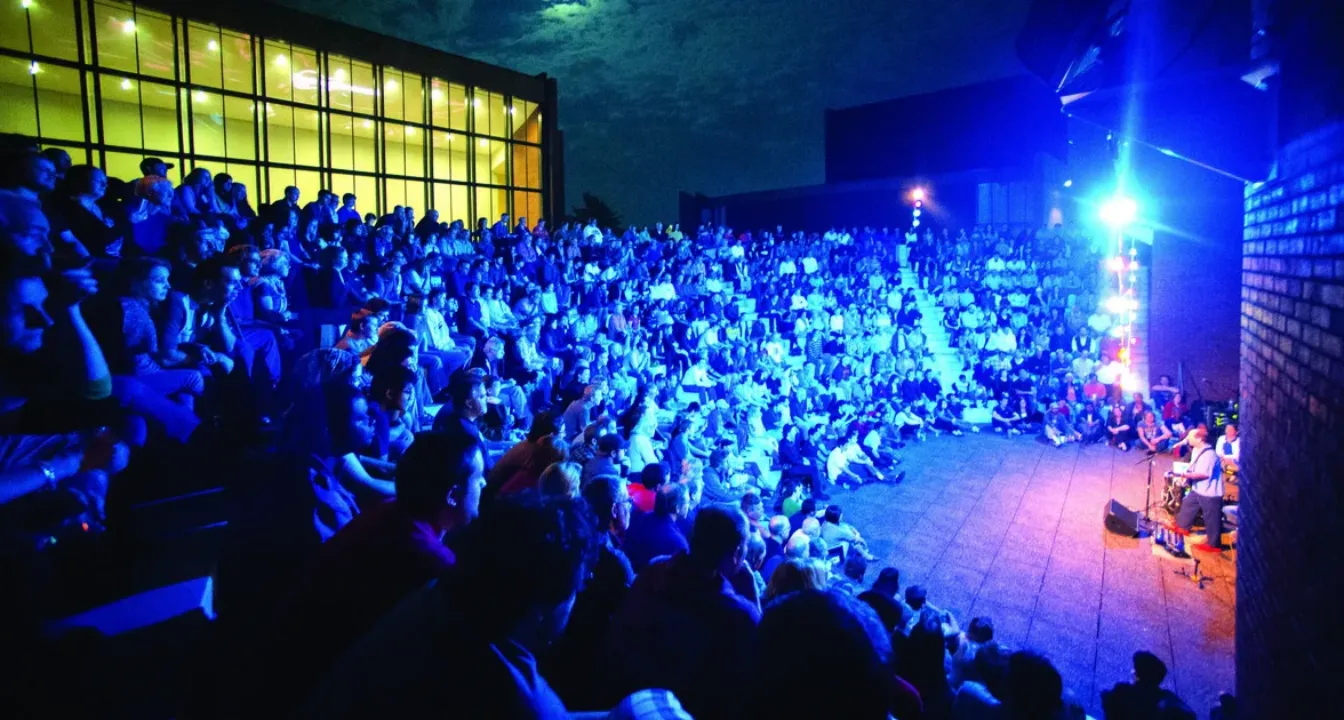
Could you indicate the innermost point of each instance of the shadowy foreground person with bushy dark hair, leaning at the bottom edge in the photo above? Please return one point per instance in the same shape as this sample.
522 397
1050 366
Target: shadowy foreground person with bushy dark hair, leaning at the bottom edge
510 594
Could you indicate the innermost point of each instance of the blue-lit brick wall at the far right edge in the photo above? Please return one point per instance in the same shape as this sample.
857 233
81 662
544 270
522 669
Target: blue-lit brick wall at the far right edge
1292 381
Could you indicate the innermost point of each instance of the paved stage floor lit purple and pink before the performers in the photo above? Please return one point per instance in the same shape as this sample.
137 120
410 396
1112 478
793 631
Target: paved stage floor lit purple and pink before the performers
1013 529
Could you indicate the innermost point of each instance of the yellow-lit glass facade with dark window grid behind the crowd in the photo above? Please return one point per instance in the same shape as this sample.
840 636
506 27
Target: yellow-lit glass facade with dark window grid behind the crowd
114 83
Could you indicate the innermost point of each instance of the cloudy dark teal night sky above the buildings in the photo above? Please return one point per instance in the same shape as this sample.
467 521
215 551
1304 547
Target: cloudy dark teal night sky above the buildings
706 96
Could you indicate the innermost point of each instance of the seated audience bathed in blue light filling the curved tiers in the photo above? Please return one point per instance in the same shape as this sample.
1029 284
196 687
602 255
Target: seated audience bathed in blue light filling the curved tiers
514 469
